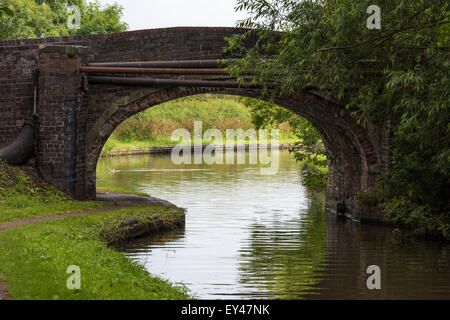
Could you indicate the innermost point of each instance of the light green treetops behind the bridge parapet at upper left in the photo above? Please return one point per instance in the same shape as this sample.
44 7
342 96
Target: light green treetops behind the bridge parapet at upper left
37 18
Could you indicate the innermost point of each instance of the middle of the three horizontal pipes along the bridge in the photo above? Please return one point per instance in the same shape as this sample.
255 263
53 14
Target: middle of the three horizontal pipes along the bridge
154 71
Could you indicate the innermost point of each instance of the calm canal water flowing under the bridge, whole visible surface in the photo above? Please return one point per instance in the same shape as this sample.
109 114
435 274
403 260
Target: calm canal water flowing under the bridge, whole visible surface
255 236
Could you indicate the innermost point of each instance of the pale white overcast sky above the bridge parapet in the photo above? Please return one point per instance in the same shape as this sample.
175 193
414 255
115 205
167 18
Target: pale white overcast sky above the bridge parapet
148 14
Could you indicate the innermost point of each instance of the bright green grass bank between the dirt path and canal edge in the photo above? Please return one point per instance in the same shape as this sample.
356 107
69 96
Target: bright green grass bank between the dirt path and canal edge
34 258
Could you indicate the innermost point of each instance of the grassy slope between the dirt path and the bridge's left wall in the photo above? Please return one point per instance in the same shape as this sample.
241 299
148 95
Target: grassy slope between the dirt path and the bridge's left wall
21 198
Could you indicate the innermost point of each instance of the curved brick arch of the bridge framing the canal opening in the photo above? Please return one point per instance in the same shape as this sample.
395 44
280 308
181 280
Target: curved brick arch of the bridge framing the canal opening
353 162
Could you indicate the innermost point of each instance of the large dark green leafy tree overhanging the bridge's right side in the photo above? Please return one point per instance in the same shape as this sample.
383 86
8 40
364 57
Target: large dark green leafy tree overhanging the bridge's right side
399 73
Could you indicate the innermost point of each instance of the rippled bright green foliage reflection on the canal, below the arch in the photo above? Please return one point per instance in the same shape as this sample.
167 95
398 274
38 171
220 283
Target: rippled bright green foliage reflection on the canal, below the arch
284 257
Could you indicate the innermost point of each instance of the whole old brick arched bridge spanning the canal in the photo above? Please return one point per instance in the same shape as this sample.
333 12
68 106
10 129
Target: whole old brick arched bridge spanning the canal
74 117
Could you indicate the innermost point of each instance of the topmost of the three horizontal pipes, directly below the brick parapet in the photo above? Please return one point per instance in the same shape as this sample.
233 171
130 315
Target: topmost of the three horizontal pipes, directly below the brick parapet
163 64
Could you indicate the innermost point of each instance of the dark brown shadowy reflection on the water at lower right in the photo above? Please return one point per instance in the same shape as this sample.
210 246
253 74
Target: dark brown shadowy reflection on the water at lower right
410 269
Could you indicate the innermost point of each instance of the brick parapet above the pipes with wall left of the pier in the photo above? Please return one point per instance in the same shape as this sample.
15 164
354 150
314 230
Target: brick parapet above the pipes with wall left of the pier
18 59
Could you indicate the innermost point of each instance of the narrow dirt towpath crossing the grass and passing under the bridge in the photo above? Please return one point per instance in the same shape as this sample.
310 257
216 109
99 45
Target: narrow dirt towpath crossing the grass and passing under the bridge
117 201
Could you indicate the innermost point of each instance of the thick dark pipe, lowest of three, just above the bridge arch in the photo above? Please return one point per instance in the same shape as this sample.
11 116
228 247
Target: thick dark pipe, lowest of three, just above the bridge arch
171 82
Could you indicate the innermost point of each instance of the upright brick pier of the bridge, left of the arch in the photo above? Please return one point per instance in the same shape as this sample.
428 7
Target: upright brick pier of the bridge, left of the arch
61 147
